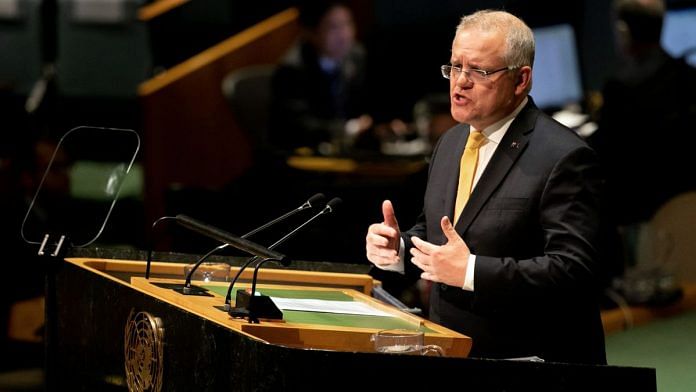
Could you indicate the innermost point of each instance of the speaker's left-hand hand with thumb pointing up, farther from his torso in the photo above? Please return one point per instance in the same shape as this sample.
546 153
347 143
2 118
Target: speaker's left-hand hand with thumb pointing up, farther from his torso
383 239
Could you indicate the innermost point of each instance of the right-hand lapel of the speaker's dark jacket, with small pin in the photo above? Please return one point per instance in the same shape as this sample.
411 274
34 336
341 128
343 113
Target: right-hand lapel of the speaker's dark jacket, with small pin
511 147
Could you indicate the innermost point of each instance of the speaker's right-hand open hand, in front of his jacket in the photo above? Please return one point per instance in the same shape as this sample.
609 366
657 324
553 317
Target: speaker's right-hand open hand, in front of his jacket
442 263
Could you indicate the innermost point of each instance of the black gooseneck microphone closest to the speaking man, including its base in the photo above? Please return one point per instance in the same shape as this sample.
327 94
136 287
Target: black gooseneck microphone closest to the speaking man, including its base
255 307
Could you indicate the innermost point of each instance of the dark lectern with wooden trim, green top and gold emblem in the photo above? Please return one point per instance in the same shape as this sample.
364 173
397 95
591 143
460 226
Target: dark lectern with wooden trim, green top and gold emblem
109 328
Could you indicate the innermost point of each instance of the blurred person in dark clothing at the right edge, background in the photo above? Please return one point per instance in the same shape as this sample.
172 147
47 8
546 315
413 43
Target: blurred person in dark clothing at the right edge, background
646 125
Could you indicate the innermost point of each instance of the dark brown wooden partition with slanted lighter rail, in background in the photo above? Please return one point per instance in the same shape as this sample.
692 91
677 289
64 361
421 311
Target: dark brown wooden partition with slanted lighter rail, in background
190 135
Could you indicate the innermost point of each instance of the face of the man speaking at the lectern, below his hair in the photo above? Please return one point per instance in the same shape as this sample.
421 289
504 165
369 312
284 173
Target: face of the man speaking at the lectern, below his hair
481 103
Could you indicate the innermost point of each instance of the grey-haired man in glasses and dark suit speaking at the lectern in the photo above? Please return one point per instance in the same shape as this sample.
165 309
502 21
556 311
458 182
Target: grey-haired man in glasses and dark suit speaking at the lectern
517 272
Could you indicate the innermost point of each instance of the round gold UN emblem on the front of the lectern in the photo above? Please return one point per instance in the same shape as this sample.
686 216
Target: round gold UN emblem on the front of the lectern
143 352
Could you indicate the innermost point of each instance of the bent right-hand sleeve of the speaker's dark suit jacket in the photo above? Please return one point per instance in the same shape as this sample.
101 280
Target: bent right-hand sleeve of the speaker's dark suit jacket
569 212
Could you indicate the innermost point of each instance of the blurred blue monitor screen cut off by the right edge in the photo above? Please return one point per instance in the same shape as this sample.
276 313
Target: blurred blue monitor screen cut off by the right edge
679 33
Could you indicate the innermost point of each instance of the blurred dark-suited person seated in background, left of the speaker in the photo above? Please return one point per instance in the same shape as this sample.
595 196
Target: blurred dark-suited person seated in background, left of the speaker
319 90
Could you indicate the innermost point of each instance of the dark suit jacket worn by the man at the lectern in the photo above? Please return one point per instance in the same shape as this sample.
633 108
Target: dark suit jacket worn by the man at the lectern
533 222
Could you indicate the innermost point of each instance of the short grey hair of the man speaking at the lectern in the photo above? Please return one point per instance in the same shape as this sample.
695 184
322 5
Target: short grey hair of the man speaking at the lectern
519 39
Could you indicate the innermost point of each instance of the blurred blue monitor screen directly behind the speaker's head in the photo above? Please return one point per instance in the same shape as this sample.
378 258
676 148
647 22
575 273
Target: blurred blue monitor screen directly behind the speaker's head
556 72
